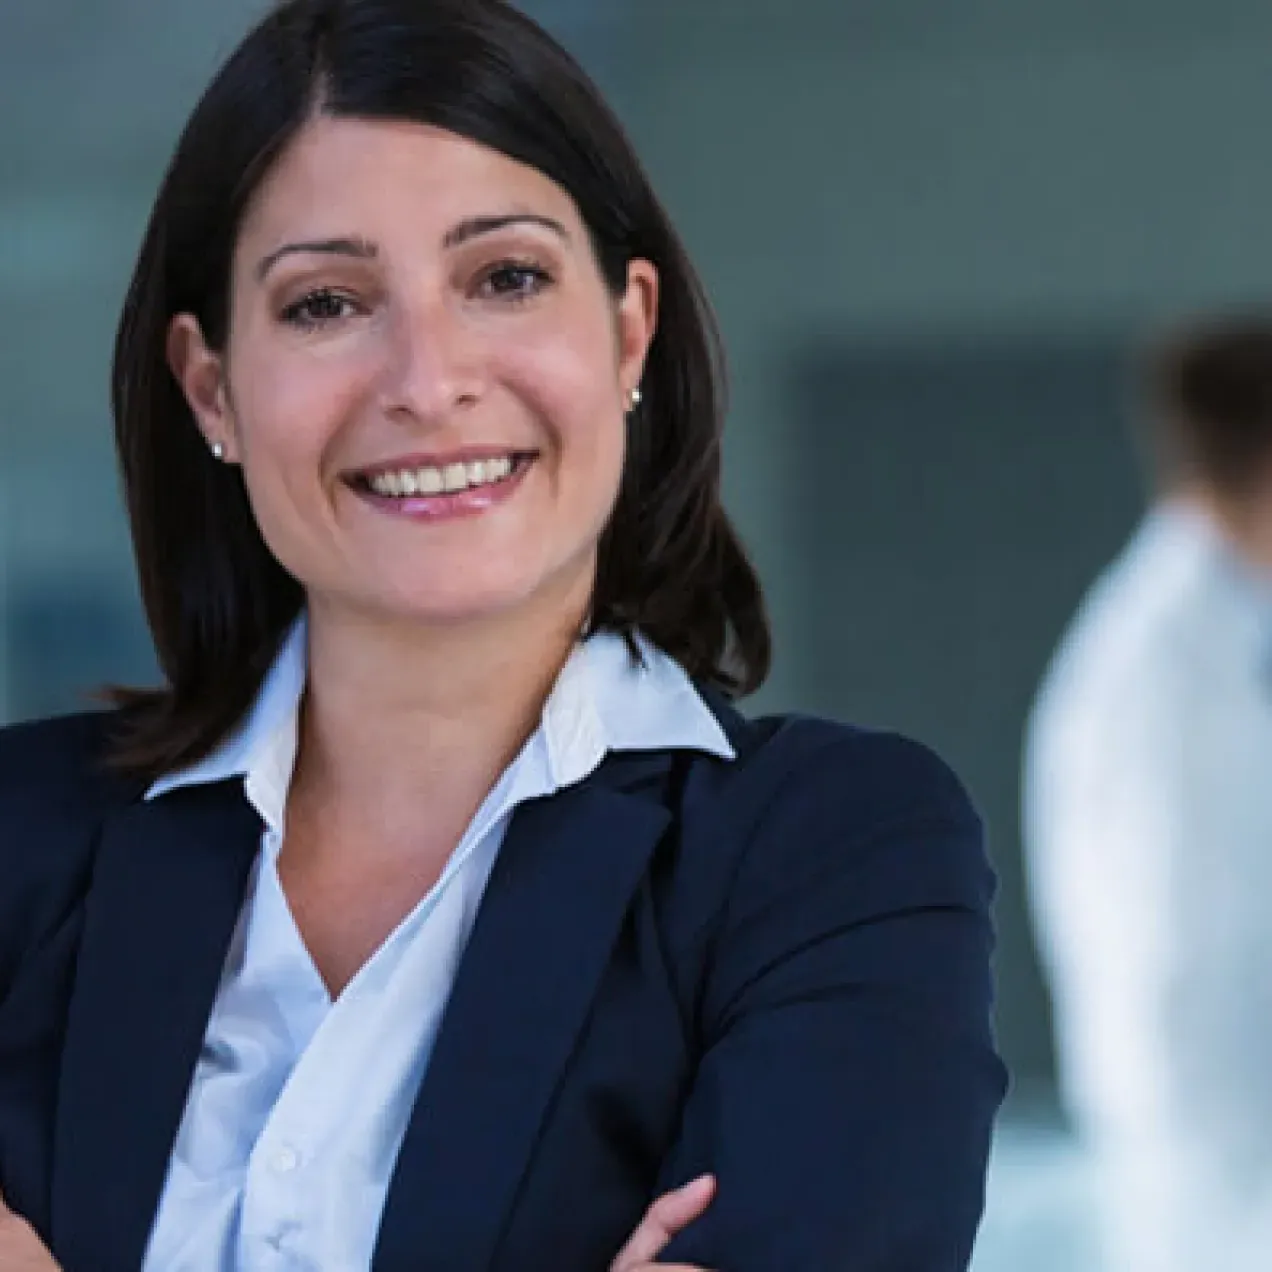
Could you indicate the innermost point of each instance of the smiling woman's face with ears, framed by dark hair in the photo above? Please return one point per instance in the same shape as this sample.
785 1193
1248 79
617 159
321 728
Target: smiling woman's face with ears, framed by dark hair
427 378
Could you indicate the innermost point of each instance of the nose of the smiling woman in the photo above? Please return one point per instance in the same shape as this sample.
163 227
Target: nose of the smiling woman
434 366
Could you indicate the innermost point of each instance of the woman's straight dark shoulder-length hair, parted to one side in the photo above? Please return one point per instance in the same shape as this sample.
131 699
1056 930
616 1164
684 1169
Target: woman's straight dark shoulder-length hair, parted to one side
217 601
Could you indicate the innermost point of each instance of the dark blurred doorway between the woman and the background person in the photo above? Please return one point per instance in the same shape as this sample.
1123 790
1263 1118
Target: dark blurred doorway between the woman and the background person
967 493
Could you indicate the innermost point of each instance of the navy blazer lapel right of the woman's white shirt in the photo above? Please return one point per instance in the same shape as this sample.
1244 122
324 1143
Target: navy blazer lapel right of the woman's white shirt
551 914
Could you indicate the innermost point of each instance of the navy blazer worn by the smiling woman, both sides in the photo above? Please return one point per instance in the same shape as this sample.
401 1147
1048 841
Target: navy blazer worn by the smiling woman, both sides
774 969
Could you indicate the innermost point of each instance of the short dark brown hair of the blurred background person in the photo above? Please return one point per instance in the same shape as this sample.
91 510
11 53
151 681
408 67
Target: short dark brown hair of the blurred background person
1210 392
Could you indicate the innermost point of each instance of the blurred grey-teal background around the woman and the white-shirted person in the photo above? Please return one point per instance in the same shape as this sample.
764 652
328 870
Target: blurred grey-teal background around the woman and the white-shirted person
936 235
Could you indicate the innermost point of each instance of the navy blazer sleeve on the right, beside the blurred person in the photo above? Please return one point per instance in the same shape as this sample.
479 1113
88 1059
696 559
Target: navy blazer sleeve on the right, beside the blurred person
849 1082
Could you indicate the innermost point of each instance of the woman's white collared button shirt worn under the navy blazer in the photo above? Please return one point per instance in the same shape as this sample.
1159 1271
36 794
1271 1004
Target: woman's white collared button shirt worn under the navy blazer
300 1105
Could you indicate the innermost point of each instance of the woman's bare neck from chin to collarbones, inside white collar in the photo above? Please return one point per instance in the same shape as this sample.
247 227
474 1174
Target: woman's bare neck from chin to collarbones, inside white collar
397 713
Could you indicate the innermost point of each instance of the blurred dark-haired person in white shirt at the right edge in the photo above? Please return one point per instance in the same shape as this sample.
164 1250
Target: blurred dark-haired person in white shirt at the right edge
1148 829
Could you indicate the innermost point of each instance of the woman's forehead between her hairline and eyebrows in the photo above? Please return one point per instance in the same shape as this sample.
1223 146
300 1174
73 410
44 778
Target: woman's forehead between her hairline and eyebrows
361 176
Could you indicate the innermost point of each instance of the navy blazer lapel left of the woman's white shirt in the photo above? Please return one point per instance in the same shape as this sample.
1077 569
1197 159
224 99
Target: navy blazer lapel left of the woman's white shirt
166 895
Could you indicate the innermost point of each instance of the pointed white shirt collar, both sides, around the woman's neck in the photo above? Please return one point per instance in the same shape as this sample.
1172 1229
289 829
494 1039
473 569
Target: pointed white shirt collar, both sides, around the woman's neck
604 700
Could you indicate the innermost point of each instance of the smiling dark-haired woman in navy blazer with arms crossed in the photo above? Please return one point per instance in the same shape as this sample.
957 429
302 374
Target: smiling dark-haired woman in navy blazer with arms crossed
441 913
